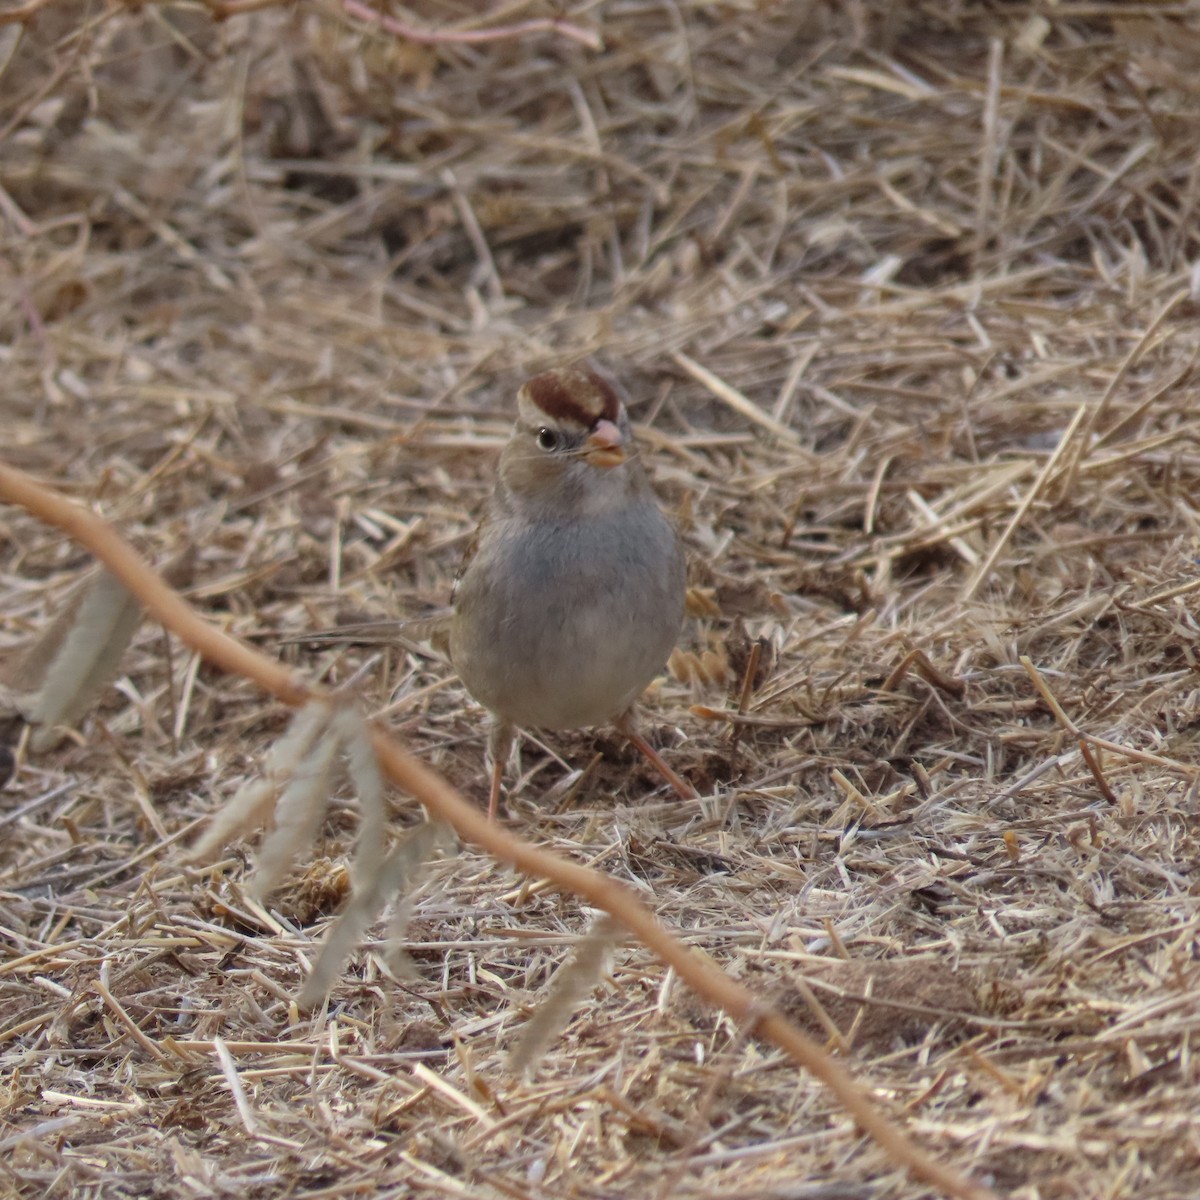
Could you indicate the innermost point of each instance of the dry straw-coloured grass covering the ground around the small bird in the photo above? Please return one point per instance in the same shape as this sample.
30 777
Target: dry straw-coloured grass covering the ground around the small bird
268 286
